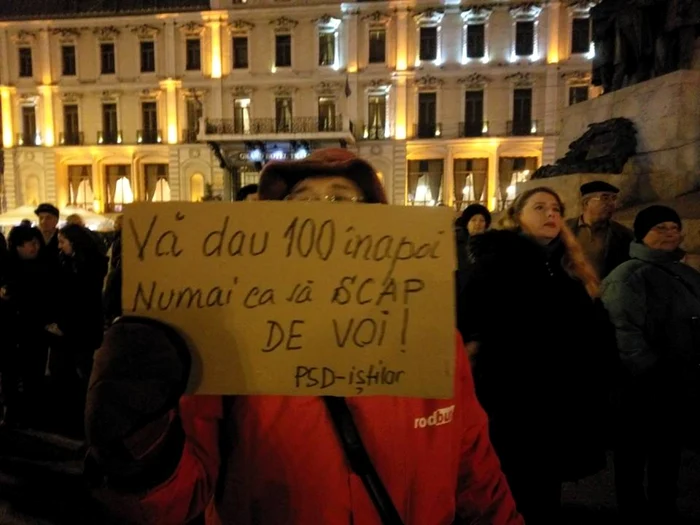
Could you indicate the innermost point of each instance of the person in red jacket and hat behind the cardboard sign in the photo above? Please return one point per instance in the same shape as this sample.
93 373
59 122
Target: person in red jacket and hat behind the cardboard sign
162 458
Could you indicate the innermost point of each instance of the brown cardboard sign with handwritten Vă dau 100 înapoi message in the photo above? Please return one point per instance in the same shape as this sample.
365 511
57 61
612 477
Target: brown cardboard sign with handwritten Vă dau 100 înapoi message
299 298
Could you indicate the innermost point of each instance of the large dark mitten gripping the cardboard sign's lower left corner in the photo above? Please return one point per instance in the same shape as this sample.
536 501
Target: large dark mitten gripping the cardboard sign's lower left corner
134 435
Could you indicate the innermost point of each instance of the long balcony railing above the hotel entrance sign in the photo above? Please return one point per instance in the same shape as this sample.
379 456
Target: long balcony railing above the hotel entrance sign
265 126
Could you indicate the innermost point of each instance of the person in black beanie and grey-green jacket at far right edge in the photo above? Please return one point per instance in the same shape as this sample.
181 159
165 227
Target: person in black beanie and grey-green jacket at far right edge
654 303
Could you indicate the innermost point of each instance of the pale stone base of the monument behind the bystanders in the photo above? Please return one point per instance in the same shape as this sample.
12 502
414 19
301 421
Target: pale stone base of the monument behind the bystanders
666 114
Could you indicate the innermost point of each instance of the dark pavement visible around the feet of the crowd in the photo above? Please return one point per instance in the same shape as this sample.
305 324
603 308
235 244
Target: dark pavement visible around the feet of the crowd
41 484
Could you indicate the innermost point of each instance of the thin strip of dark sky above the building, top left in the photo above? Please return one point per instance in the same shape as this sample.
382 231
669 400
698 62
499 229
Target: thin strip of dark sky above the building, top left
23 9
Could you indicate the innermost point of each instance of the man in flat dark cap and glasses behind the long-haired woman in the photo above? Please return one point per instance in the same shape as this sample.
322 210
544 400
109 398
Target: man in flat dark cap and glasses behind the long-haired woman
605 242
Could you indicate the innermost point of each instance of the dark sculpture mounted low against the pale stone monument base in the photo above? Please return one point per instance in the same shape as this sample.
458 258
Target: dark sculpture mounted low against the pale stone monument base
604 148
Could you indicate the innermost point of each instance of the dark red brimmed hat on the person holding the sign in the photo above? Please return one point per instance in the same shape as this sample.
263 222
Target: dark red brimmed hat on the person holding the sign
279 177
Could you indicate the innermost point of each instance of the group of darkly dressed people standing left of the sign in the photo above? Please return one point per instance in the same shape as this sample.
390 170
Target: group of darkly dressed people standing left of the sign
52 311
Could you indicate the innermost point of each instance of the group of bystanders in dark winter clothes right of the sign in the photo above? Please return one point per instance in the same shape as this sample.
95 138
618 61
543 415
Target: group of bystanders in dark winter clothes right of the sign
600 347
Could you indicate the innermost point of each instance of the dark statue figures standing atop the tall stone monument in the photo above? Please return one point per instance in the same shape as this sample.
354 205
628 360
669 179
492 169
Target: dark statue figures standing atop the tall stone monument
636 40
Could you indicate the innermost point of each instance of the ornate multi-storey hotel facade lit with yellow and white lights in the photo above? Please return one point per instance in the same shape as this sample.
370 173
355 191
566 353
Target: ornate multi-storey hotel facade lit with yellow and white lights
450 101
